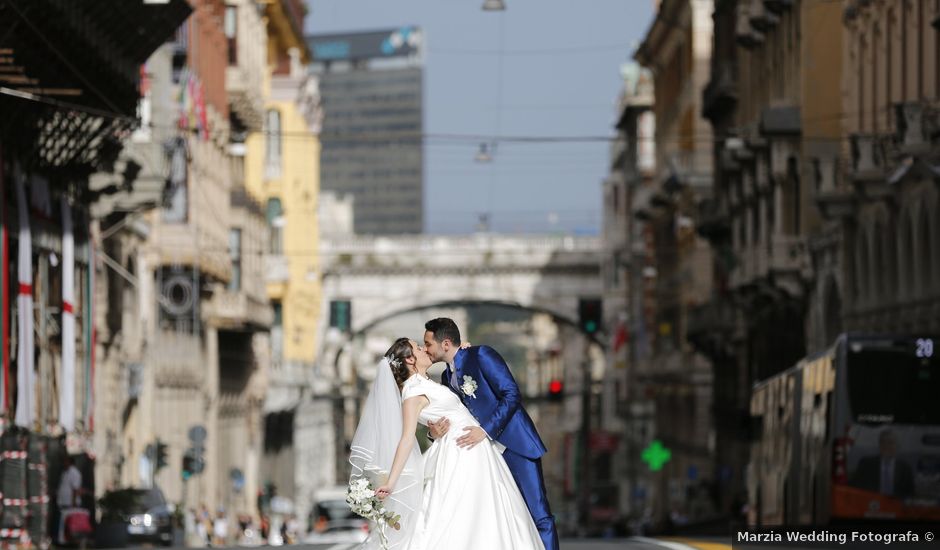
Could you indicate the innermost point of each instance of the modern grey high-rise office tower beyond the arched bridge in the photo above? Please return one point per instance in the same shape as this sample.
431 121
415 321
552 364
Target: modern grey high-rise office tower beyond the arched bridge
372 91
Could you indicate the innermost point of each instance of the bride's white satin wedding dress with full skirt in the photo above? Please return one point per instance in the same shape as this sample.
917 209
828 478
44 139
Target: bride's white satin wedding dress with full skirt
471 501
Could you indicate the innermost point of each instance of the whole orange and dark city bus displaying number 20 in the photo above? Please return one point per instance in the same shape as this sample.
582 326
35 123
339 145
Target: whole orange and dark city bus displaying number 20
851 434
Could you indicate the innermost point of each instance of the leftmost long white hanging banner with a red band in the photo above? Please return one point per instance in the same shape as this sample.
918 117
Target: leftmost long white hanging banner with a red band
25 375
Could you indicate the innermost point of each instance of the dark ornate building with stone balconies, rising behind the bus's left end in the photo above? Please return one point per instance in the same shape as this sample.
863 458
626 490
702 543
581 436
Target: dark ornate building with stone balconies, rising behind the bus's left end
775 107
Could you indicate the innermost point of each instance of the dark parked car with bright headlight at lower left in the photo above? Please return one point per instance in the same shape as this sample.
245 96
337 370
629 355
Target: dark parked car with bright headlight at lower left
143 512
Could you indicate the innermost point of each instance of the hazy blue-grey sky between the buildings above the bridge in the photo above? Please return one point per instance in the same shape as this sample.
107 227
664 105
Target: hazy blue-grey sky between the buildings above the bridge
540 68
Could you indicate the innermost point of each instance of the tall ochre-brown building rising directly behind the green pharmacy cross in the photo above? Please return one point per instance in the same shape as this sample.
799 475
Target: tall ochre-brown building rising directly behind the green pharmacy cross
676 270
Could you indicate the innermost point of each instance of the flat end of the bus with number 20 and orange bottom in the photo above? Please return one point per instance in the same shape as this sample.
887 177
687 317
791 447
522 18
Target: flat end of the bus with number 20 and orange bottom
887 453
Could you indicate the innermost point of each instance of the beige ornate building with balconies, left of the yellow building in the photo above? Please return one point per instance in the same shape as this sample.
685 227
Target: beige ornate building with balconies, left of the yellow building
184 302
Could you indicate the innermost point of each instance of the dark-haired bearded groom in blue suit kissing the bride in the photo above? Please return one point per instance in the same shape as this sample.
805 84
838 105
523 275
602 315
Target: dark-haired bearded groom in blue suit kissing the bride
482 380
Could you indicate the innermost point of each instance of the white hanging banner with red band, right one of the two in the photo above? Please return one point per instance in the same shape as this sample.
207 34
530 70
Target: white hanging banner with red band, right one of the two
67 381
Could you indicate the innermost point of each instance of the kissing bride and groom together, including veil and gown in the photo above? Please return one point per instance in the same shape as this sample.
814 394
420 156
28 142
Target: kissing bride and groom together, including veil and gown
480 484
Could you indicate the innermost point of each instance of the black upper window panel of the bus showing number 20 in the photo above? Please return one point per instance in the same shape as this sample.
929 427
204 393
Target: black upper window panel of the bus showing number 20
894 381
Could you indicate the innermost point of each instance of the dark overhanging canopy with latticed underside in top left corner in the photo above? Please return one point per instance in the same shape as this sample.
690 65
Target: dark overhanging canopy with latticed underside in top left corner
69 74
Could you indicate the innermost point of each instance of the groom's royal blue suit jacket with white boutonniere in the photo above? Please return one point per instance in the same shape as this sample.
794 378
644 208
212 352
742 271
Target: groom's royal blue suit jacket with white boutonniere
498 403
